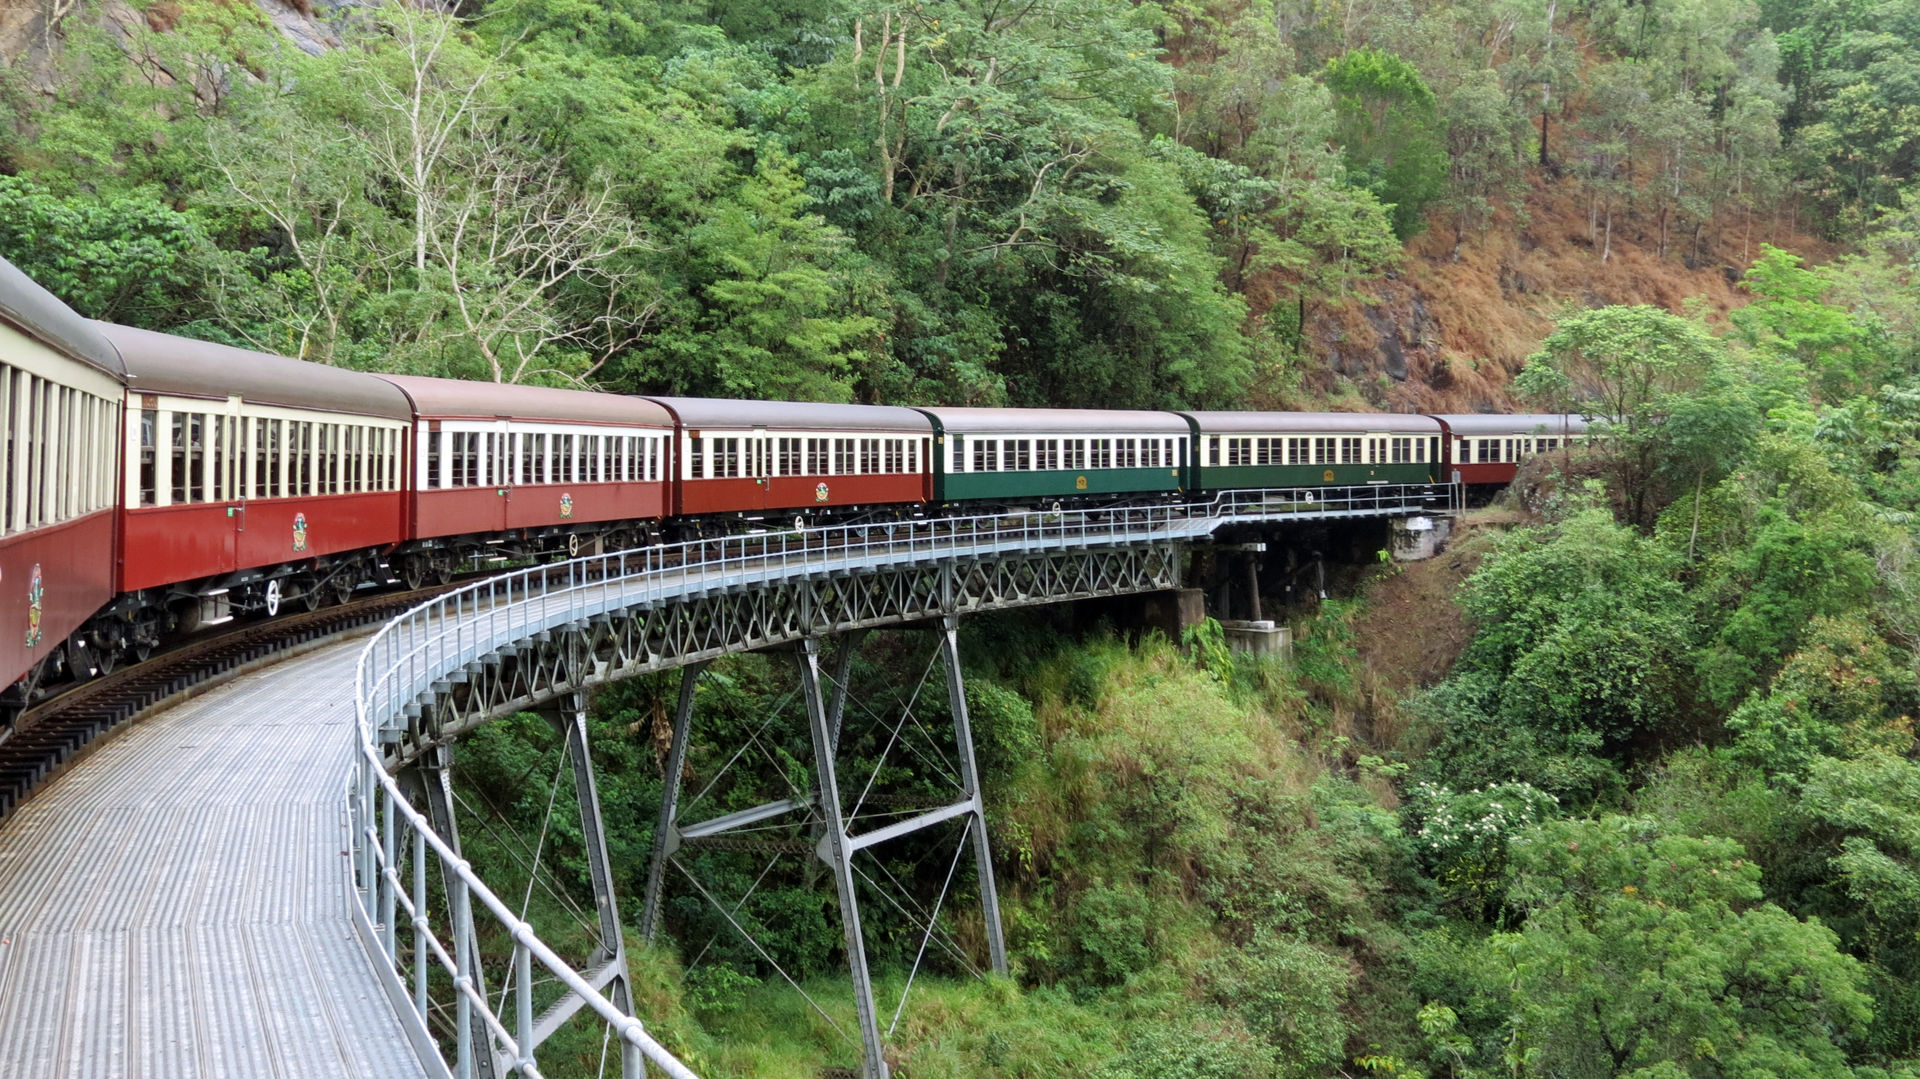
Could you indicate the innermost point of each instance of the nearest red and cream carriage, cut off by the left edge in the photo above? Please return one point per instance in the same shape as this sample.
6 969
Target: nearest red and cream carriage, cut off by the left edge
60 425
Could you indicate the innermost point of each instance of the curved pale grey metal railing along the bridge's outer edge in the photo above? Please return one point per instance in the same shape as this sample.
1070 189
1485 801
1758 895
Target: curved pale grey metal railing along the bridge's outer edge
421 652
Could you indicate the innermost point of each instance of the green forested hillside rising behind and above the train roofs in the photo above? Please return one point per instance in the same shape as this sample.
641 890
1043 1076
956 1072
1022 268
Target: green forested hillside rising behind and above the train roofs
1068 203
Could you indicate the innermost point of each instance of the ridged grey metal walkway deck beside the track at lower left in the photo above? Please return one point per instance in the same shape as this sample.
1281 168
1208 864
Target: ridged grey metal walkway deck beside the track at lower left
174 907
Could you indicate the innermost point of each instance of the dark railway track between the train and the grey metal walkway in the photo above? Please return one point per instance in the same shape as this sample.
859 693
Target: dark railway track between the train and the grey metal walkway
55 734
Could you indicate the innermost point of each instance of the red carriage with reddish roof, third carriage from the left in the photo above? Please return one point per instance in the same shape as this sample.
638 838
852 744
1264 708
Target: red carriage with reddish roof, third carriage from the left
517 471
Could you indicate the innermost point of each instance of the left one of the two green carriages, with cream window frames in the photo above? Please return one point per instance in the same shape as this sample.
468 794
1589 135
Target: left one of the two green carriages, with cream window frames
1067 456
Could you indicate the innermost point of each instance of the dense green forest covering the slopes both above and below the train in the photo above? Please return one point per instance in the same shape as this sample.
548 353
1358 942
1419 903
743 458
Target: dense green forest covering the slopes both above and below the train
1623 784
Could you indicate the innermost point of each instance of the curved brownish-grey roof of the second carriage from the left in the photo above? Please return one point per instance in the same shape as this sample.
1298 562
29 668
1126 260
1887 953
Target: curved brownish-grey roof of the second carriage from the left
164 364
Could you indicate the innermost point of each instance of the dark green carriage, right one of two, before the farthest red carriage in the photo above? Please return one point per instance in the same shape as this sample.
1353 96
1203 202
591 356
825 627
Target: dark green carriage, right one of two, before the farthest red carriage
1312 450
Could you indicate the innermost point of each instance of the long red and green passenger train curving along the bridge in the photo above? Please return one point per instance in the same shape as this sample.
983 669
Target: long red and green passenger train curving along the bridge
155 485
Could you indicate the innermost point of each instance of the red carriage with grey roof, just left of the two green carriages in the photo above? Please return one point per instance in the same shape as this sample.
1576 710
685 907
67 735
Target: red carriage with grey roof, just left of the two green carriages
759 460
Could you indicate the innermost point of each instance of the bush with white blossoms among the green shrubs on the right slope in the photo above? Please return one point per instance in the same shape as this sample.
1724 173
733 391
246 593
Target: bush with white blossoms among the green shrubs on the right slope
1462 836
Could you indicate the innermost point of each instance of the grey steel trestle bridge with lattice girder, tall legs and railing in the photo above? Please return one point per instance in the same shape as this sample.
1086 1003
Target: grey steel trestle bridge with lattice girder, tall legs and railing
540 638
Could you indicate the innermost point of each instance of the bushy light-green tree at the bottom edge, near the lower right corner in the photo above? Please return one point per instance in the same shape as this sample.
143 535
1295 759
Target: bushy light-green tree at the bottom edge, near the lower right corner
1652 955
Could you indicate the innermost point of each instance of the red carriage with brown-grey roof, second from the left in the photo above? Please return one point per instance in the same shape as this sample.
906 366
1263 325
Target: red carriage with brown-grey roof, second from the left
251 481
